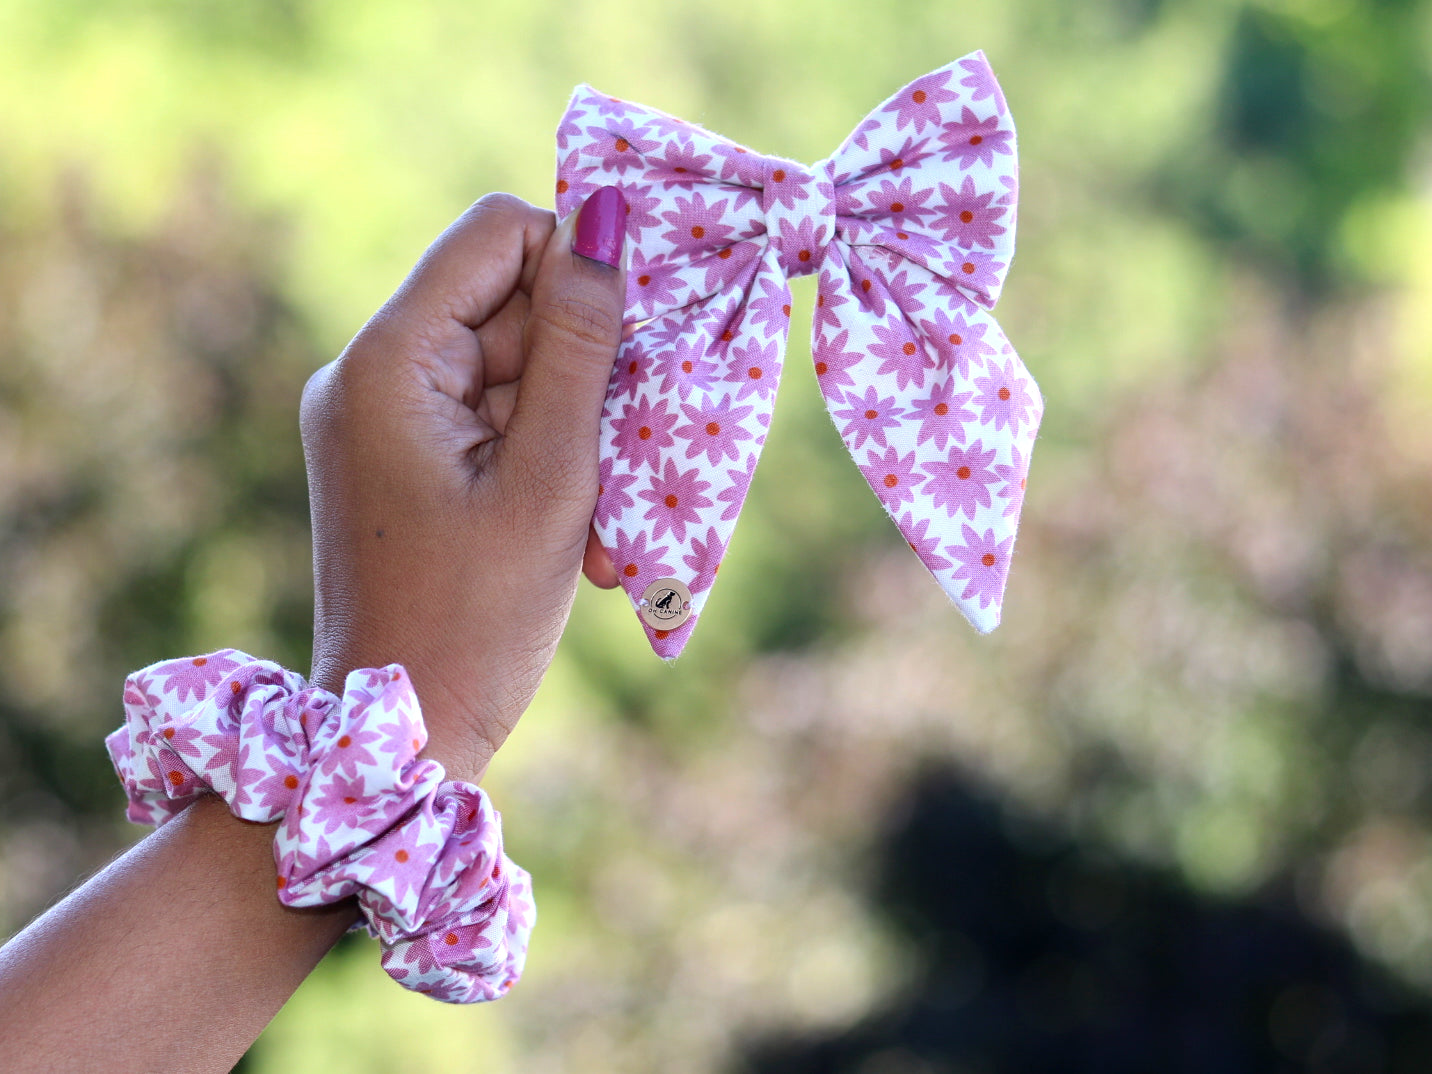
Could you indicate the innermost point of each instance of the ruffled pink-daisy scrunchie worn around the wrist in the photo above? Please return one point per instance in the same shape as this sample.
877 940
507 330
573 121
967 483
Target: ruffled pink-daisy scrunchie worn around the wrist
362 816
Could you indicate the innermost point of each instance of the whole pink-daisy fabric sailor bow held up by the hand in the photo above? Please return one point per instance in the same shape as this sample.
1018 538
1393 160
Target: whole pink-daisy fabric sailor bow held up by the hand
911 228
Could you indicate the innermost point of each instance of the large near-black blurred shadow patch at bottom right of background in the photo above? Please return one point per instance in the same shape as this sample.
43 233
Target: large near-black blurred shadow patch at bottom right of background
1040 959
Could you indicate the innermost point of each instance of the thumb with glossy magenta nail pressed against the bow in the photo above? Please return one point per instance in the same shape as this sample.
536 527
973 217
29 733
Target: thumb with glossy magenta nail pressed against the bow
571 342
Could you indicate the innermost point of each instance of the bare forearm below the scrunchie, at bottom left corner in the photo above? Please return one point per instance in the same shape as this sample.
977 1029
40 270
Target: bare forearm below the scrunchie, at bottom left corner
175 957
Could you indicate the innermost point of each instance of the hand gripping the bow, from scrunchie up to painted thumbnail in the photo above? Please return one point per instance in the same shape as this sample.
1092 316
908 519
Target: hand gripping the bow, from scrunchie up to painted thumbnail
453 468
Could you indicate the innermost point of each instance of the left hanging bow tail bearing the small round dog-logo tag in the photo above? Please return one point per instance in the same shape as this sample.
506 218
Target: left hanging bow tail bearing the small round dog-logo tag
687 416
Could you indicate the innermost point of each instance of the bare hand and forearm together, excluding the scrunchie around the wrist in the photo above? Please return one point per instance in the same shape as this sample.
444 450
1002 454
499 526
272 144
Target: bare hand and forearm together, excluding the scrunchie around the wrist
453 472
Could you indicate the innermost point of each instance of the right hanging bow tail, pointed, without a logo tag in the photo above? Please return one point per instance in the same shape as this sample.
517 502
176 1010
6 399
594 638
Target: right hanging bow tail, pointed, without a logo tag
937 412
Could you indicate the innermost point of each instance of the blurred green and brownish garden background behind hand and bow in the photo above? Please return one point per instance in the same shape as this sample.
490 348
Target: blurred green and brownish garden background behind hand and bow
1175 816
